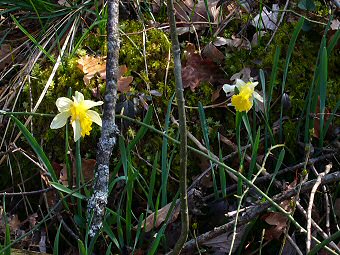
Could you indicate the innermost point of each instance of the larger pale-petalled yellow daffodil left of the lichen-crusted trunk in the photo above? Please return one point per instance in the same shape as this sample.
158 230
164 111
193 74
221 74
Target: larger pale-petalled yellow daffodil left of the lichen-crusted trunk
78 110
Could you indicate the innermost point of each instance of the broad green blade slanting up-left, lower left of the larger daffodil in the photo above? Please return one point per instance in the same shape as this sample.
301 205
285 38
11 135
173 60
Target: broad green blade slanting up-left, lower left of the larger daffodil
36 147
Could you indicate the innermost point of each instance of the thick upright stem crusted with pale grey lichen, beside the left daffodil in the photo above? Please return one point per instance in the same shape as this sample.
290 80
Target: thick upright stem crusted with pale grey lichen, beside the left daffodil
97 202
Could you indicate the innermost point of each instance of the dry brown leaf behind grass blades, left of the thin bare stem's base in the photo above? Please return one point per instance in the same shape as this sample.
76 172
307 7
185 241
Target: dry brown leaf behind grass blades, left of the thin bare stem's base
150 222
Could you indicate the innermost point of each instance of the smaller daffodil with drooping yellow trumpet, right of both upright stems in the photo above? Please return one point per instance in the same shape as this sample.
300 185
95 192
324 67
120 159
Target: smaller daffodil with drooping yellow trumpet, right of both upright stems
243 101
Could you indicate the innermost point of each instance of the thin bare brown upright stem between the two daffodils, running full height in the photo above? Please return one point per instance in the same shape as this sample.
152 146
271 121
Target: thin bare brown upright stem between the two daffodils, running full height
182 130
